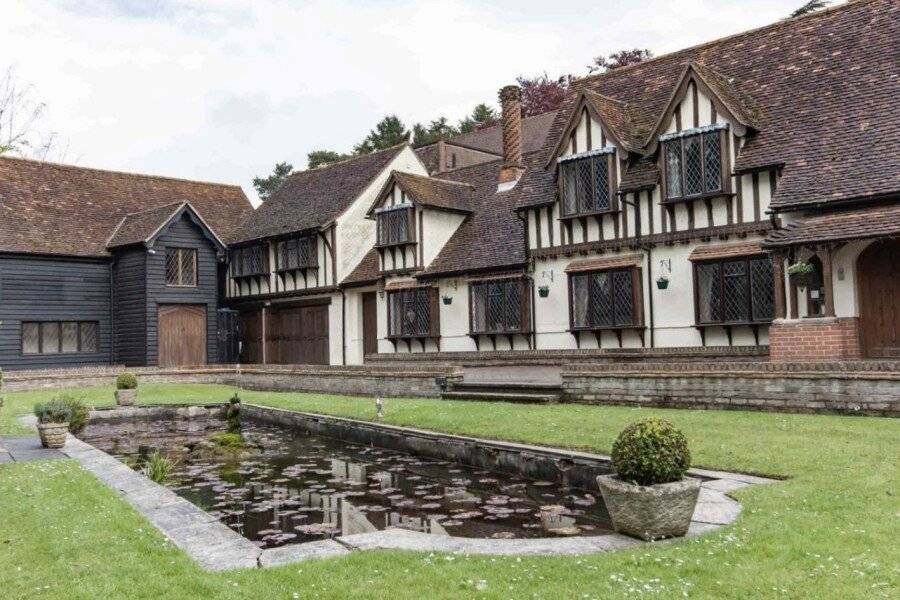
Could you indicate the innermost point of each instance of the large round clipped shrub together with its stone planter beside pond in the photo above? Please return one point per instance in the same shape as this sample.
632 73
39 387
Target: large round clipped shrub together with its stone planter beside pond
649 497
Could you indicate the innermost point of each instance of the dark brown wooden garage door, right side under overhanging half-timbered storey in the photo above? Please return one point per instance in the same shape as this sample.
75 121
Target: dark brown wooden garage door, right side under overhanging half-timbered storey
299 335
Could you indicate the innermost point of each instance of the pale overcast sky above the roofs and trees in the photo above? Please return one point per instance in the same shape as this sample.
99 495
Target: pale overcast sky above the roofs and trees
222 90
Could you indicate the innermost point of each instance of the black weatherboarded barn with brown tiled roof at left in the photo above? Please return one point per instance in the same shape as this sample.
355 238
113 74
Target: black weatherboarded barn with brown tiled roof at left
100 267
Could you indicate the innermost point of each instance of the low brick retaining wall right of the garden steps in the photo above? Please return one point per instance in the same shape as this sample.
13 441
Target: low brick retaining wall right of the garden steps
869 388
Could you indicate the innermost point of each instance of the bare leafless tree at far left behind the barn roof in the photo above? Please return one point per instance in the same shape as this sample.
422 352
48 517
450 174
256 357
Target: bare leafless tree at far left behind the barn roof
20 115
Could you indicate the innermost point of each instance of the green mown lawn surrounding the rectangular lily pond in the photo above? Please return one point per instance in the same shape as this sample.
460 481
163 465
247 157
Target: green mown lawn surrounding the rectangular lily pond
828 531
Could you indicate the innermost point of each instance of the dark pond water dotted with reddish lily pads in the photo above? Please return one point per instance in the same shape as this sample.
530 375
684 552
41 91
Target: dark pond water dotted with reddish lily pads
293 487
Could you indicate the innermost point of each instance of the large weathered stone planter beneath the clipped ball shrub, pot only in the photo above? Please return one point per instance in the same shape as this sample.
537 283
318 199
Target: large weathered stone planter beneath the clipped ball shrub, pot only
650 512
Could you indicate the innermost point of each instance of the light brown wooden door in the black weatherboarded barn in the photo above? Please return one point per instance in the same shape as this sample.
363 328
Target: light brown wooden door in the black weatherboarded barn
182 335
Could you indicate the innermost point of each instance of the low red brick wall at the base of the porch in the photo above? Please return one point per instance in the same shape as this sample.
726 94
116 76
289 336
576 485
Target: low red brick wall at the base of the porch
814 339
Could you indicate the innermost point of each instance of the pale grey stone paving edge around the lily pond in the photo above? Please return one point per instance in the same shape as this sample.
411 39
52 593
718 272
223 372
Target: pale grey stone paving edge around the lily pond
216 547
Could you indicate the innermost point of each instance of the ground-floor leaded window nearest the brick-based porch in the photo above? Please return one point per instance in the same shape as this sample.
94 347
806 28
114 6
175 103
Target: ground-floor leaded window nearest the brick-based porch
735 291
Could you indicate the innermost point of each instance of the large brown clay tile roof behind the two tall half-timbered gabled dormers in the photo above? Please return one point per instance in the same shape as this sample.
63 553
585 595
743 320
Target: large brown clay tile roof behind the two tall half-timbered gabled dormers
825 90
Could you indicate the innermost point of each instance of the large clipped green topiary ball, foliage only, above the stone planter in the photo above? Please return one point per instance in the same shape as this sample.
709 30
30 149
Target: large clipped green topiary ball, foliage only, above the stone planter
651 451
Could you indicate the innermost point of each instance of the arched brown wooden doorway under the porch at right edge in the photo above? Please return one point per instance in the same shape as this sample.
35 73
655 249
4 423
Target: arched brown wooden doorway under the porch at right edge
878 282
